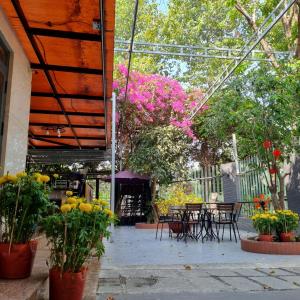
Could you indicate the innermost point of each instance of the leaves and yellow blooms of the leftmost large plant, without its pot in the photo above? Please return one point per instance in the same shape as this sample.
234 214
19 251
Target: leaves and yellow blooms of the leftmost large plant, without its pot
23 201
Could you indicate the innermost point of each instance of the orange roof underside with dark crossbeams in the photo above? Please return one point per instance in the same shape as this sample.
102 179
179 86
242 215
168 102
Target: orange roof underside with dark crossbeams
70 45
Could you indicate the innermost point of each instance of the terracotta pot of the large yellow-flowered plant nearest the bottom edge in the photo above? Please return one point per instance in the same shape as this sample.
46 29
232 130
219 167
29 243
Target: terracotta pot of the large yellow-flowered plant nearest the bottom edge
66 286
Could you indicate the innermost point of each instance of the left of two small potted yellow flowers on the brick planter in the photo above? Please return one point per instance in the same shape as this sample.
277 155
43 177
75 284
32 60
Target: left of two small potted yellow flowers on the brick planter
265 223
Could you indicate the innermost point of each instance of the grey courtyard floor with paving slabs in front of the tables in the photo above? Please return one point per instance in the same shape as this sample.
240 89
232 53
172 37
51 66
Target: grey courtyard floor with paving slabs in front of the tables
136 266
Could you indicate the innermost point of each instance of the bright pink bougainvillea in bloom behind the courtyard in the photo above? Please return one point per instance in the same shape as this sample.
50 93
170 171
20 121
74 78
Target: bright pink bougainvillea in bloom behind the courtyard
153 100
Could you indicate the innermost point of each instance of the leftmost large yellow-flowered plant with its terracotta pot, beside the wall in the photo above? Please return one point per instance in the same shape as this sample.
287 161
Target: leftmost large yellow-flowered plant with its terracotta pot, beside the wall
23 200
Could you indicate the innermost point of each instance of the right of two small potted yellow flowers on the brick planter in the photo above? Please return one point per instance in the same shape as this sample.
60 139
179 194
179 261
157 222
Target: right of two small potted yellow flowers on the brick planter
288 221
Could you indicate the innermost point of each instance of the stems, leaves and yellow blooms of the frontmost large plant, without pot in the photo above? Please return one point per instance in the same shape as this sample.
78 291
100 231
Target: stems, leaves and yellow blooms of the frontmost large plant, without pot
75 231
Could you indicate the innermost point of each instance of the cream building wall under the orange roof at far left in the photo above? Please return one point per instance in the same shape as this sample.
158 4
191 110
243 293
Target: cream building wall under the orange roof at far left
16 120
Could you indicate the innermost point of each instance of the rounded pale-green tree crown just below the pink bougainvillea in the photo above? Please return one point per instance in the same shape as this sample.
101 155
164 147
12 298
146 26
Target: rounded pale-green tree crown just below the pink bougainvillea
161 152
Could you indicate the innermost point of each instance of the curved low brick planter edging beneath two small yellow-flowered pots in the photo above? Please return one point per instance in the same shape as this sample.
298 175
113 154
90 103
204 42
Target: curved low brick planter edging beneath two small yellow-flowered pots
287 248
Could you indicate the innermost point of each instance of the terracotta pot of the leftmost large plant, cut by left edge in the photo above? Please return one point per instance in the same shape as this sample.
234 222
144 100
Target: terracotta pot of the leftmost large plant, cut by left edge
18 263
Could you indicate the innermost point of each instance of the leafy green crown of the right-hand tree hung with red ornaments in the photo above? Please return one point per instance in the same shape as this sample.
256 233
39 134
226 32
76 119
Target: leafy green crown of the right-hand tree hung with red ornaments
260 105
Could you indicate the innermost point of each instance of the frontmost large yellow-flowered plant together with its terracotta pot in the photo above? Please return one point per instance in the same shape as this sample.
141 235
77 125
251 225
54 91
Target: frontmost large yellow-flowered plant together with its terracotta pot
73 234
